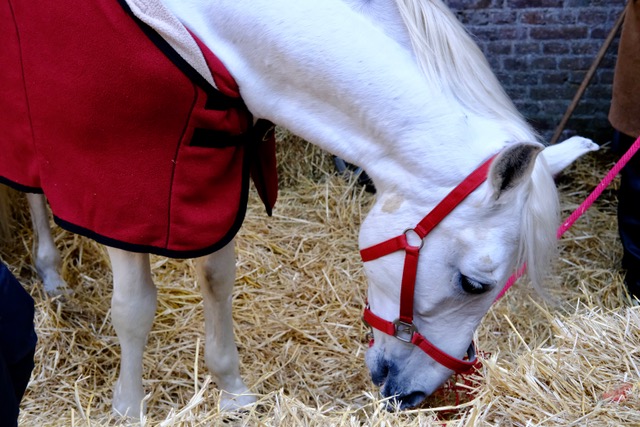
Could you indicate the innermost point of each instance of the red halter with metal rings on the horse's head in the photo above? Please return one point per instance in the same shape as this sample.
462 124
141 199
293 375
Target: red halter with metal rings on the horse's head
403 327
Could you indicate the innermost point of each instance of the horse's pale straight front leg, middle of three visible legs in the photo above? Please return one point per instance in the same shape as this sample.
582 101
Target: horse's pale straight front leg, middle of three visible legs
133 308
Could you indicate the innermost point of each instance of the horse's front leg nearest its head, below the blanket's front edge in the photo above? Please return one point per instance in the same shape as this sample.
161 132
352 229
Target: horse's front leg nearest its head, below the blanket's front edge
216 275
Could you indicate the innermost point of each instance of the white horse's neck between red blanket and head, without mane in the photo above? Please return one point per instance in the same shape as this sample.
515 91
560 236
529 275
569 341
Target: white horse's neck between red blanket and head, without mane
332 75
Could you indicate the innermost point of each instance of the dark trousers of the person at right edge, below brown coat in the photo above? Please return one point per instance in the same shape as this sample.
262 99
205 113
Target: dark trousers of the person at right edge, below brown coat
629 213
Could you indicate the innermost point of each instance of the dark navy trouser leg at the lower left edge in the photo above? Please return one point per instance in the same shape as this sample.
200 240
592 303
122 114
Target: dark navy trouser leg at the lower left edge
17 345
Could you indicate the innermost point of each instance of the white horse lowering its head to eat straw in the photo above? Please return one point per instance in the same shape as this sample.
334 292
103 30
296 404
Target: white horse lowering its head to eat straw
399 88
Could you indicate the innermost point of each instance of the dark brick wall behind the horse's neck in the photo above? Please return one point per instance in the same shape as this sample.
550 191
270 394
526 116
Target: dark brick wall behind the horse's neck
541 50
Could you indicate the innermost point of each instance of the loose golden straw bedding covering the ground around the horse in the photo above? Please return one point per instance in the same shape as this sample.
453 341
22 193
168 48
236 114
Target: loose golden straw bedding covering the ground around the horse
297 306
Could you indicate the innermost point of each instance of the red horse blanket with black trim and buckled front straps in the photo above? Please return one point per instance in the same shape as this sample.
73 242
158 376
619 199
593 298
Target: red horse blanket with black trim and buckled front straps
130 144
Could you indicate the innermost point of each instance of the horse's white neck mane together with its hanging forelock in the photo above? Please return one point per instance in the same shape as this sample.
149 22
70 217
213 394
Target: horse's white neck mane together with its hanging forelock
449 57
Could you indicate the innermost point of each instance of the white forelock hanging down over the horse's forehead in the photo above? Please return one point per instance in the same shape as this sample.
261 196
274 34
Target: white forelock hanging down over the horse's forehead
540 219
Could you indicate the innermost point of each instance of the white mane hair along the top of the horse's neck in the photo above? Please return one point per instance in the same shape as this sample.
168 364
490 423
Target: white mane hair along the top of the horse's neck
448 57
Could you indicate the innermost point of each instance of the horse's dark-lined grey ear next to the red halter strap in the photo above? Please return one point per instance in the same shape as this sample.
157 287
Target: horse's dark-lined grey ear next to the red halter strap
512 166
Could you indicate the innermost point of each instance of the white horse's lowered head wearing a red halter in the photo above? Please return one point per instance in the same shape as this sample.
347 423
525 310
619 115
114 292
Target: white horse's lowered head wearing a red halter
434 282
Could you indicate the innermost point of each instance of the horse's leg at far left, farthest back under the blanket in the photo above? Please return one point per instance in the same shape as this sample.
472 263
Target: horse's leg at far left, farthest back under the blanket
47 257
